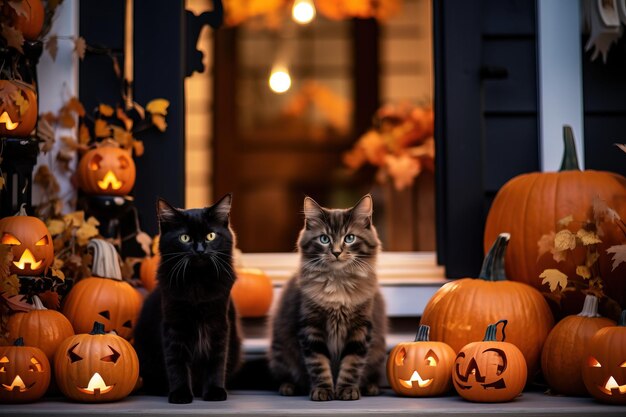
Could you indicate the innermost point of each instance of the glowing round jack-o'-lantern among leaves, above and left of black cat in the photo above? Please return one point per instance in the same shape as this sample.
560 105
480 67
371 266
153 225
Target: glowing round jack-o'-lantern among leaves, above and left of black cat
106 170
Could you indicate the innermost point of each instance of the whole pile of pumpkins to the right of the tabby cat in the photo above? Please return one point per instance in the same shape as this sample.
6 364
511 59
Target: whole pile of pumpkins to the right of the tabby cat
582 354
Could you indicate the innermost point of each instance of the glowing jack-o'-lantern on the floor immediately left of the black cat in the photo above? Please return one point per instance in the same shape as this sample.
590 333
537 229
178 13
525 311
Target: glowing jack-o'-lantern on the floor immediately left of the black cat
96 367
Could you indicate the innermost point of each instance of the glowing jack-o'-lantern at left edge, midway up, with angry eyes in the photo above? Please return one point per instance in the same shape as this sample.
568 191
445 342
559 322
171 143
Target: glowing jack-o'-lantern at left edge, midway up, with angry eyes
30 241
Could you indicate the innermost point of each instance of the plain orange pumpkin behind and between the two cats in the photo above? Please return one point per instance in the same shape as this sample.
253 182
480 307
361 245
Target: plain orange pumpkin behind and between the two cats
252 292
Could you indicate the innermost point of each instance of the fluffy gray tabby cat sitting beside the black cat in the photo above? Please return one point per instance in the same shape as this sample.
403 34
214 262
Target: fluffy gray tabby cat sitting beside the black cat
328 330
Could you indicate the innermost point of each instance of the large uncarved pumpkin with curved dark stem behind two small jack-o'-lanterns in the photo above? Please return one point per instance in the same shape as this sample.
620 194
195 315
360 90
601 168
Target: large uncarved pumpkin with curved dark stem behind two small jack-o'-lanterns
461 309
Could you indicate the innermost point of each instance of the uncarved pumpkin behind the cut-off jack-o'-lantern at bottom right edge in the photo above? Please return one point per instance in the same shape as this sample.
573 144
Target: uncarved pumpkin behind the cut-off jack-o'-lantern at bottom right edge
563 352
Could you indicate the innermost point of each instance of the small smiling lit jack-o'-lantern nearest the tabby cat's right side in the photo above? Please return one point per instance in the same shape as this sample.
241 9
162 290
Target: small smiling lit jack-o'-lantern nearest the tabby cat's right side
422 368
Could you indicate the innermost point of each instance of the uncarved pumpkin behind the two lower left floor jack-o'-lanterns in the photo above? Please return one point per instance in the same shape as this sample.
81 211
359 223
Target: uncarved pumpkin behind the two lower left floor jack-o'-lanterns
40 327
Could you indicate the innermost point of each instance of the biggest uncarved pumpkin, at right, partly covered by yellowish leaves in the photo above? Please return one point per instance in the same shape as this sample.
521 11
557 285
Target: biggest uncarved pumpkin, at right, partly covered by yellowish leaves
530 205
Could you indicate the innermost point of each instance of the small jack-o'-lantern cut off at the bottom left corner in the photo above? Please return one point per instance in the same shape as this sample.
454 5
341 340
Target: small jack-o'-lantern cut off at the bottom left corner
24 373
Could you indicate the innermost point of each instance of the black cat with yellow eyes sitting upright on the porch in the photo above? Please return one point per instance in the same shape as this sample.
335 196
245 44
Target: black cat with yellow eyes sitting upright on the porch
187 336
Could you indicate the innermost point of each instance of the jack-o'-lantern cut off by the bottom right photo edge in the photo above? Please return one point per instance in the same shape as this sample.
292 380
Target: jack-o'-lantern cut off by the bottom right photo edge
604 363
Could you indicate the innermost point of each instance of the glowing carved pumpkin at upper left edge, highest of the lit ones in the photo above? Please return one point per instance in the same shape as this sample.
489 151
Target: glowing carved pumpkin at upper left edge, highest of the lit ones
18 108
